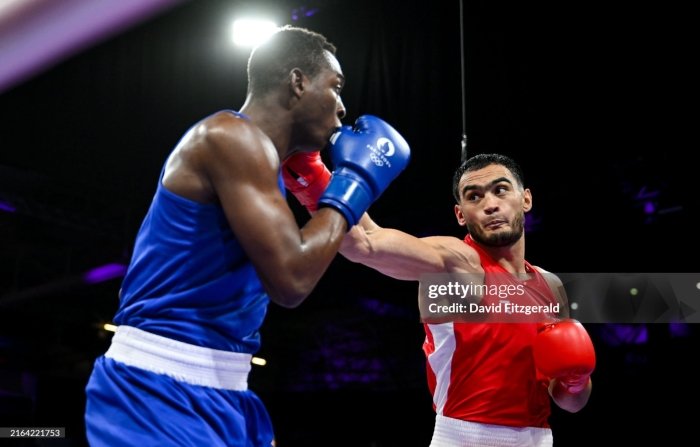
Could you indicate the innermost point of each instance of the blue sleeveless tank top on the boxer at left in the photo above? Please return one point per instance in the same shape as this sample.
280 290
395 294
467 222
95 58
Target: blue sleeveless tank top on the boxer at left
189 278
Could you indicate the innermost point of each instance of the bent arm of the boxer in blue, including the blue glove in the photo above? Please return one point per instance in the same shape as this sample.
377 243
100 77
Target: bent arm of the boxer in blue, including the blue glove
242 166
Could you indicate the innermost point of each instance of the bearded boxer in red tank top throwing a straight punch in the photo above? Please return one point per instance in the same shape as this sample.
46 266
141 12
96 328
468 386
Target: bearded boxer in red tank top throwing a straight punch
491 382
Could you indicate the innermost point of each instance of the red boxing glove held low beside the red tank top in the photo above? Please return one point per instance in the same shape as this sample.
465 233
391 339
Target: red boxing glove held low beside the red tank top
564 350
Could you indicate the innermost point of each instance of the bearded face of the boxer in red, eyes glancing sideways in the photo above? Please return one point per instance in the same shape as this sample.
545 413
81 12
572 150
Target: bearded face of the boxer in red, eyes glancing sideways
492 206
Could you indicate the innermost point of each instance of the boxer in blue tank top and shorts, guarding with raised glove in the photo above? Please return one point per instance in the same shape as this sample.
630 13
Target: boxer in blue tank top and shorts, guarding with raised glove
219 242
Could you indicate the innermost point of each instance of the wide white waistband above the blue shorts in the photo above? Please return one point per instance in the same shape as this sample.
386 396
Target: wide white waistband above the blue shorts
181 361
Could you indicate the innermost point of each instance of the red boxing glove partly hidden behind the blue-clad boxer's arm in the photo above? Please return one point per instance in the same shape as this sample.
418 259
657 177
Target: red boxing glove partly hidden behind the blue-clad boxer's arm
306 177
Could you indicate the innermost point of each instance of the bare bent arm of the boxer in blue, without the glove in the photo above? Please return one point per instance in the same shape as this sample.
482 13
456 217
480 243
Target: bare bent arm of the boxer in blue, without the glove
242 166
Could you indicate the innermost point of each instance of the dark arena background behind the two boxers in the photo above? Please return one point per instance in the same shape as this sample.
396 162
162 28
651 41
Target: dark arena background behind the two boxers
585 95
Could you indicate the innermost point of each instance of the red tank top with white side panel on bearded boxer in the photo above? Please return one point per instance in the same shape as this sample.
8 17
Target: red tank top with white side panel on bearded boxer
485 372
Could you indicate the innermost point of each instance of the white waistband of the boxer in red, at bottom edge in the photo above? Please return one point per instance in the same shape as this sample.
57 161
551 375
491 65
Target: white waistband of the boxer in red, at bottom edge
450 432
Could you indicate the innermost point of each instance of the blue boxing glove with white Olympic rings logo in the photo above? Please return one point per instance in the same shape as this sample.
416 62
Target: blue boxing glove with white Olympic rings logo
367 158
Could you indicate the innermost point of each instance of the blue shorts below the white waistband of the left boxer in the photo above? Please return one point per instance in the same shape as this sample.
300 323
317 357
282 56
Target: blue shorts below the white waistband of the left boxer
129 406
